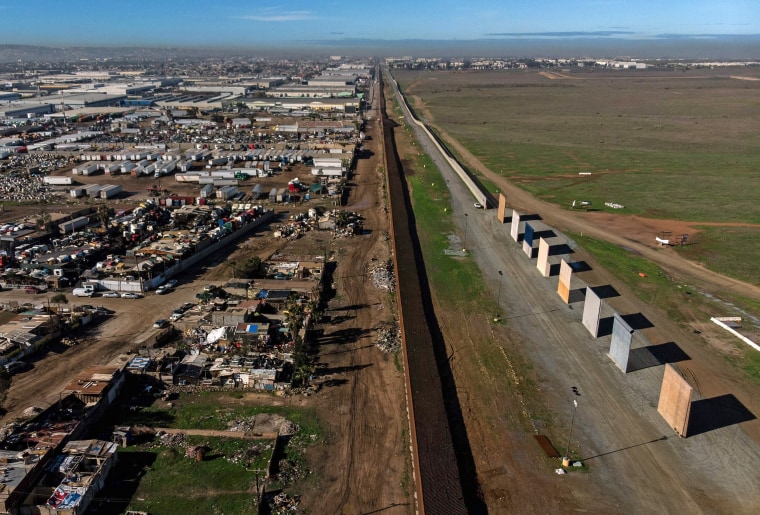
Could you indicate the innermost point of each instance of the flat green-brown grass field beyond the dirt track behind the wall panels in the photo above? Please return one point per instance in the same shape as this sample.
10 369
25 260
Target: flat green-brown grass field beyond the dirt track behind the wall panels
677 149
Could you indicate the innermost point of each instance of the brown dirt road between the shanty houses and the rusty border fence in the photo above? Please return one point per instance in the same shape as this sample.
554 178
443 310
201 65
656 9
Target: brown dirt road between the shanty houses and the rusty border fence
365 466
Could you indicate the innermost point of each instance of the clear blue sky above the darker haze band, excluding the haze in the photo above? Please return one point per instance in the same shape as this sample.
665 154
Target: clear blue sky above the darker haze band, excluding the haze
297 23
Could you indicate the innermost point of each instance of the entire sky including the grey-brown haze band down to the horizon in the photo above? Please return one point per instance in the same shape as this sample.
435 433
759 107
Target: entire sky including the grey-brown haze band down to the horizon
648 29
